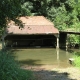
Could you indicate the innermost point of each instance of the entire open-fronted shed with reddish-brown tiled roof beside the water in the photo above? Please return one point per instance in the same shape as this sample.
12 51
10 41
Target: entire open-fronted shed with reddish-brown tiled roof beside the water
37 32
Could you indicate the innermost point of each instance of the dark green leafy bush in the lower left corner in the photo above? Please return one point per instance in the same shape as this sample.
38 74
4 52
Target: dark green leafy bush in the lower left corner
9 70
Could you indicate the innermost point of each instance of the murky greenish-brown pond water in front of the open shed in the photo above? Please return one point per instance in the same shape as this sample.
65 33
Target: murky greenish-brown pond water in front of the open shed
43 56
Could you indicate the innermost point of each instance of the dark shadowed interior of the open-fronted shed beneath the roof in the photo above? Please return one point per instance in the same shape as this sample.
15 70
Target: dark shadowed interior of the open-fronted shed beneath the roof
30 41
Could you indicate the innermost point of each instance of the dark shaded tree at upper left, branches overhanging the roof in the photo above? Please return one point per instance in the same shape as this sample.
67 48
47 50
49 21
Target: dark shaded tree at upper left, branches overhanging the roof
11 10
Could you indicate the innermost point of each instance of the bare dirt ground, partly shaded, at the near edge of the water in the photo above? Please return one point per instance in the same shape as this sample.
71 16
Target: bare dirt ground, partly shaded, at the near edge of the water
49 72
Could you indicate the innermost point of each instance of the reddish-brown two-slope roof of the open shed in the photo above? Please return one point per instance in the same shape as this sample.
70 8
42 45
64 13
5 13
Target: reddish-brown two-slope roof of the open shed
33 25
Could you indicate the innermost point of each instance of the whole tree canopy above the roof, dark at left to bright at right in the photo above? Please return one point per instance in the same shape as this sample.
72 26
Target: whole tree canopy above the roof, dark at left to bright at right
63 13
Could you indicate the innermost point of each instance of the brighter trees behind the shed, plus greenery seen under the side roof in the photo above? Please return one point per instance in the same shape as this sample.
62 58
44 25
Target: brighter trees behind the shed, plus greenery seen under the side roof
65 14
